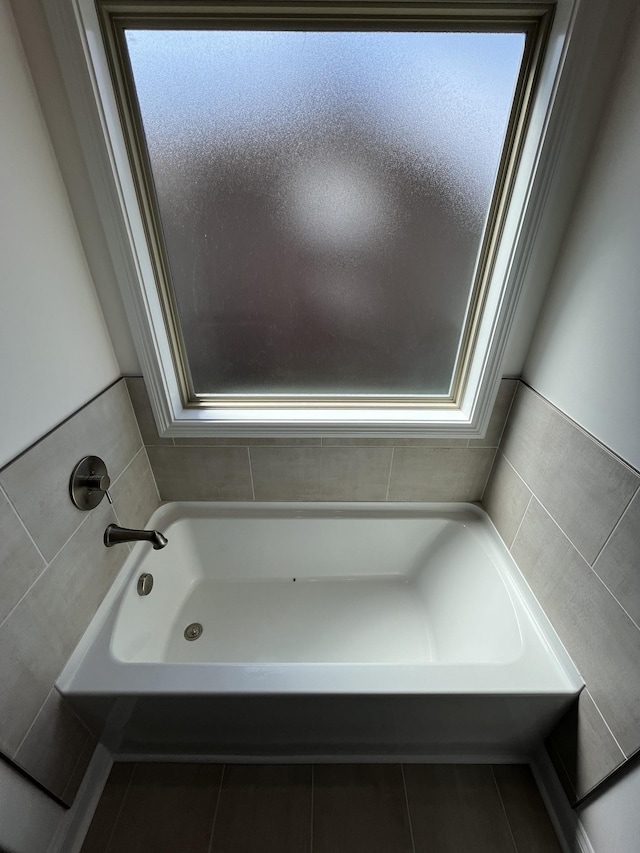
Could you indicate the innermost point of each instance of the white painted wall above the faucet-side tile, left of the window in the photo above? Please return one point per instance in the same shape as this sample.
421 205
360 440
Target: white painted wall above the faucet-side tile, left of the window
55 352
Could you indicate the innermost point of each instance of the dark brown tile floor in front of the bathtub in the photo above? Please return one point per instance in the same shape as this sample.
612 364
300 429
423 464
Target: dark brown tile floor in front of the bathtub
324 808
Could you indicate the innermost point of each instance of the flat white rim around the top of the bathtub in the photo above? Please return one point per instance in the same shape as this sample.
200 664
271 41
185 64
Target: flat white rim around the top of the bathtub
328 679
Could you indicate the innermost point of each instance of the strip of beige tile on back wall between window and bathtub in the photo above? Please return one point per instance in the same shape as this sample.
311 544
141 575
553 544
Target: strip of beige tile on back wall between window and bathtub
320 469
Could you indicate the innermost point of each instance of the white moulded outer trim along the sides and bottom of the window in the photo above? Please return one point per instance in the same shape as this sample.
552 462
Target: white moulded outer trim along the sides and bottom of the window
76 31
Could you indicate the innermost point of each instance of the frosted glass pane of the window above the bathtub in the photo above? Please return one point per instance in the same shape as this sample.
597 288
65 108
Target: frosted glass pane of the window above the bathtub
323 198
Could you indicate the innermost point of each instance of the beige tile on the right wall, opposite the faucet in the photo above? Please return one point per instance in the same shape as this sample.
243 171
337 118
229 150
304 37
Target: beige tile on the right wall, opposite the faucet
569 510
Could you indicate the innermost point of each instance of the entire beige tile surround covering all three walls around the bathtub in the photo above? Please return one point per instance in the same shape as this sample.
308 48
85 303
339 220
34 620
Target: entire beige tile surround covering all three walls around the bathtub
568 509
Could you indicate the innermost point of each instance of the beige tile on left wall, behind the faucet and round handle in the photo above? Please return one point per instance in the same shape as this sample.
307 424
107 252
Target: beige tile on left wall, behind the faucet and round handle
54 573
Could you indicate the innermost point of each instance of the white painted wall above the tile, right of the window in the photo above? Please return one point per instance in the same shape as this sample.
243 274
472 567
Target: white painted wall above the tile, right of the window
585 355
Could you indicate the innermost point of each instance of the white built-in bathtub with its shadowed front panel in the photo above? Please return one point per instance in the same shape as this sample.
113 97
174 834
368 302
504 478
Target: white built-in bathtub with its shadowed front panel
328 629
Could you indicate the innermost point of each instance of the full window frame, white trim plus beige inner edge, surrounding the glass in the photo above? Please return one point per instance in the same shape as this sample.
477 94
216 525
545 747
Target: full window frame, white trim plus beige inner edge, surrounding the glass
138 260
